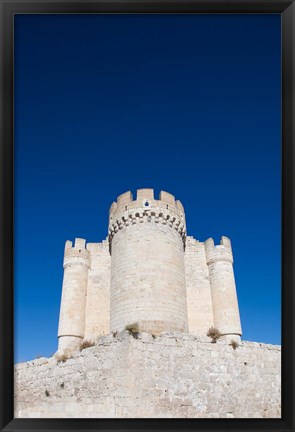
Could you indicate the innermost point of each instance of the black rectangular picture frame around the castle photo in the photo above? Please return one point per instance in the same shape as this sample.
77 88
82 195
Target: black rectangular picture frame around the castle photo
11 7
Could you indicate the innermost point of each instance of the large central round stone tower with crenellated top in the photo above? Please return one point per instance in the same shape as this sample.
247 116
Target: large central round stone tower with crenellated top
147 240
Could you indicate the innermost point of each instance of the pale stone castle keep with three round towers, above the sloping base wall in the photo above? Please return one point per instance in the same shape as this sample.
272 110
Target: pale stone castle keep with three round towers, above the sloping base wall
149 272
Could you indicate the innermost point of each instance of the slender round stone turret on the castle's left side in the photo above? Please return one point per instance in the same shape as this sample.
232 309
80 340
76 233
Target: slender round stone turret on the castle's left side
74 290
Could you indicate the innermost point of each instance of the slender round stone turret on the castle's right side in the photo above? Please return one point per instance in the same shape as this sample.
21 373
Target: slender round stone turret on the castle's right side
223 289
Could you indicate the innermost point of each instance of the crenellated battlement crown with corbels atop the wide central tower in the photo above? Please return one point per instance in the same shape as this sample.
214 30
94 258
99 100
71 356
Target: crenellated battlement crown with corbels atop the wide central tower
166 210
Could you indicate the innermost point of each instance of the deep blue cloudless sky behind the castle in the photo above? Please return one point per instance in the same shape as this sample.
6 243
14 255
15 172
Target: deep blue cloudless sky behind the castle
108 103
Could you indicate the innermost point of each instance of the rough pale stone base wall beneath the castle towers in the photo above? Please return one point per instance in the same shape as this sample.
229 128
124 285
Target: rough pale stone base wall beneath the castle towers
174 375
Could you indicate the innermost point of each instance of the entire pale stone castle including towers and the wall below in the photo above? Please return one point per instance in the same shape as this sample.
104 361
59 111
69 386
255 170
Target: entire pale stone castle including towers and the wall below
174 288
